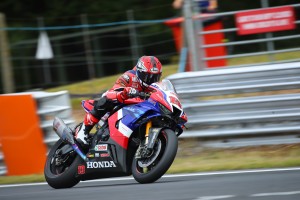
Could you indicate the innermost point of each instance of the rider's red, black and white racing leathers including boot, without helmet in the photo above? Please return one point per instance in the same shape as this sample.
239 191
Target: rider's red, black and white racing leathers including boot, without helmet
117 94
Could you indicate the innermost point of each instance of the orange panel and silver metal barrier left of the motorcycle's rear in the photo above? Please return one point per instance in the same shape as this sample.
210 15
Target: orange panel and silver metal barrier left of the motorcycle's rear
45 106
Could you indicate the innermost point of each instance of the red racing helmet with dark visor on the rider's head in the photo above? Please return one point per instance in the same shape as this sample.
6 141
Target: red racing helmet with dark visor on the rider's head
149 70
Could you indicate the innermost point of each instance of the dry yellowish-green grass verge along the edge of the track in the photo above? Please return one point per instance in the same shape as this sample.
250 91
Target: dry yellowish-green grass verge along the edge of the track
192 158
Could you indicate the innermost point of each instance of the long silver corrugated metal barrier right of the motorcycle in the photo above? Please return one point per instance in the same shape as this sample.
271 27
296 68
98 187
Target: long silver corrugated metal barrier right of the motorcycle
256 101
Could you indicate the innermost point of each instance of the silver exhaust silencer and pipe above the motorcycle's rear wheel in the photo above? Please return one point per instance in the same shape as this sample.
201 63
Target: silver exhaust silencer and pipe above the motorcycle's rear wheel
65 133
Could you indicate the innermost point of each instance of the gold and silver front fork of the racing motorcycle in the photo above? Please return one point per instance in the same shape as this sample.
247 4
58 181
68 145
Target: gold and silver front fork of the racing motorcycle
145 150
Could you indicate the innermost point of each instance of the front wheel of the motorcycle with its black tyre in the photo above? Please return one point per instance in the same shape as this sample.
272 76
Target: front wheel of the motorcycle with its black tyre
148 170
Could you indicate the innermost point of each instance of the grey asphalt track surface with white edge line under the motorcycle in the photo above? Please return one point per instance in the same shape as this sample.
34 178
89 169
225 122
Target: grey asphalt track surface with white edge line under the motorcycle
270 184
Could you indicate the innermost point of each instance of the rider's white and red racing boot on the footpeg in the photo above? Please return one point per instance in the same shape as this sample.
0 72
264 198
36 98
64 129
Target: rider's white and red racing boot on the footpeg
82 133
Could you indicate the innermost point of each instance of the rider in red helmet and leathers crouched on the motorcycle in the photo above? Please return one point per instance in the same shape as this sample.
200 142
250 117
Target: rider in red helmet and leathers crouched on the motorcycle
147 71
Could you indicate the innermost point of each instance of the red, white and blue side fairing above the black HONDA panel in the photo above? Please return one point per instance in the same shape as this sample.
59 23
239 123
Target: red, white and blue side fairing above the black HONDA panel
123 122
